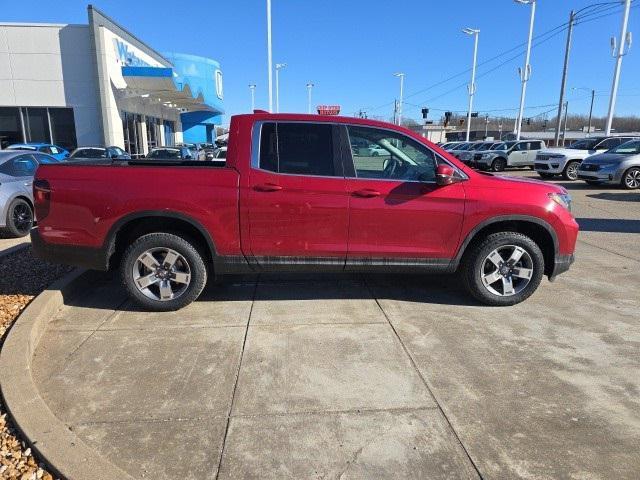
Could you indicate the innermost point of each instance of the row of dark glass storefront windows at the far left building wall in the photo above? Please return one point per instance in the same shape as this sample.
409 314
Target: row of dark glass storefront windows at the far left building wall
37 124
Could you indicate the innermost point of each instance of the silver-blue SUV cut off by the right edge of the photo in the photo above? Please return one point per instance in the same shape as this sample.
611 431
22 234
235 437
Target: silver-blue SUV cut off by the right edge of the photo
620 166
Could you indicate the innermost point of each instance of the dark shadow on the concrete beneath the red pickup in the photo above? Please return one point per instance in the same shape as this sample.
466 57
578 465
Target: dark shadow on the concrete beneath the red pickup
103 291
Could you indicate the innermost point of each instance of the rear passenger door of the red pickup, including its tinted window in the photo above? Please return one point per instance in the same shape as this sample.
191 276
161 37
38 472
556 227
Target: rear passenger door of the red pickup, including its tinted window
298 203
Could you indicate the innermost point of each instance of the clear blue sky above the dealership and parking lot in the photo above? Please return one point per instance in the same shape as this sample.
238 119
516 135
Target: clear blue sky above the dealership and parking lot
350 49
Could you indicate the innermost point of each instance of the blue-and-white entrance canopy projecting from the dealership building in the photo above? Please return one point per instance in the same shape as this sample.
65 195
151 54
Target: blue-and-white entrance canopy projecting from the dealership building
160 83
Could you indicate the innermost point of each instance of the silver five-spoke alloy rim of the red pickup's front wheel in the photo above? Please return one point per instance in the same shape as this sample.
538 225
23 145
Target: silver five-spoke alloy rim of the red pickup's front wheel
507 270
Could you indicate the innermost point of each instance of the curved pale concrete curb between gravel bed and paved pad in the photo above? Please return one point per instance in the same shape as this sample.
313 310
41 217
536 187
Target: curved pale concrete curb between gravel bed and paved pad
63 452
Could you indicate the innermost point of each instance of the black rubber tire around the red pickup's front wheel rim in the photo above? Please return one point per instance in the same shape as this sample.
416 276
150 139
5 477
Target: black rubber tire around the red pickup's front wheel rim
474 264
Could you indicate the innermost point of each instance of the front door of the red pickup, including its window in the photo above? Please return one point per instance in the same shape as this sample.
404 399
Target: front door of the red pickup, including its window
398 215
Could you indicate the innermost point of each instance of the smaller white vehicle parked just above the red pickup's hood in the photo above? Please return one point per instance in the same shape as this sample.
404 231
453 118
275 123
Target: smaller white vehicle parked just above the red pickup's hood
509 154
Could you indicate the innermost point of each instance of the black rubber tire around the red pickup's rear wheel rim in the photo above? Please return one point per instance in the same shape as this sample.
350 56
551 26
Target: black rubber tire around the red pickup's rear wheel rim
190 261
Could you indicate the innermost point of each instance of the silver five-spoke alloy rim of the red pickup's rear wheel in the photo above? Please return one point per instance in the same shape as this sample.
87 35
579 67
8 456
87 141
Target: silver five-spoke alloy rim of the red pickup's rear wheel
161 274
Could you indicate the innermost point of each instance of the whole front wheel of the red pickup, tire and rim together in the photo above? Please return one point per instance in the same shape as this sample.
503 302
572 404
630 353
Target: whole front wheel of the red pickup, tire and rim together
504 269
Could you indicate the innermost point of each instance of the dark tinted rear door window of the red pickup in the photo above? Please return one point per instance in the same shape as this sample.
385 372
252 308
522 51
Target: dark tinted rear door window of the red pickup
297 148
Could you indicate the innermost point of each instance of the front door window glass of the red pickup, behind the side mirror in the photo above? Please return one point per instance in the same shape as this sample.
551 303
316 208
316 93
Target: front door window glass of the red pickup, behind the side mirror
391 156
